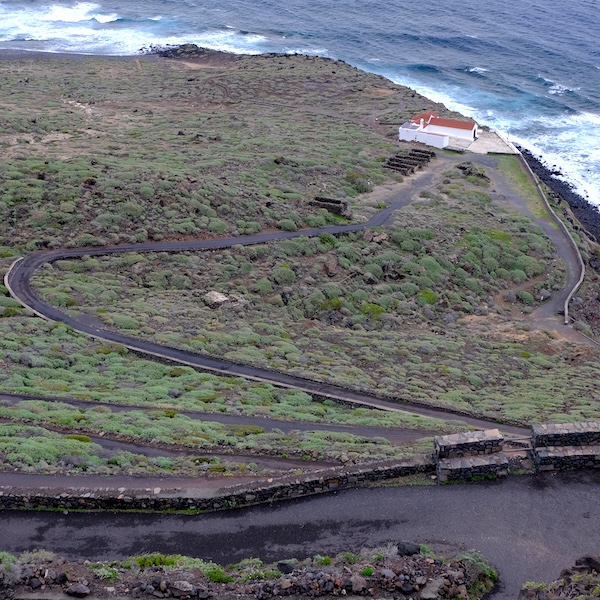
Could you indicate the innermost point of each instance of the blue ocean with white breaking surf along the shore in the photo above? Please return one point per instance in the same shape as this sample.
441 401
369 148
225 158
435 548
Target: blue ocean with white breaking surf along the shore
529 68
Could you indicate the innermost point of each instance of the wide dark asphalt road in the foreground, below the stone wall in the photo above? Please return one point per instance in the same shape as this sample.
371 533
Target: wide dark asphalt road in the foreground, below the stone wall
529 527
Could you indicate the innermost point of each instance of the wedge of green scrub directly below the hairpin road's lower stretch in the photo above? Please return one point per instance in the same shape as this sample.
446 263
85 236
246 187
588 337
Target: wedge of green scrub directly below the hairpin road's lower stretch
48 359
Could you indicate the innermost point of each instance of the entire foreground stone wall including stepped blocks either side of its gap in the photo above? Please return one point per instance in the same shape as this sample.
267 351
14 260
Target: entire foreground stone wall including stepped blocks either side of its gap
467 456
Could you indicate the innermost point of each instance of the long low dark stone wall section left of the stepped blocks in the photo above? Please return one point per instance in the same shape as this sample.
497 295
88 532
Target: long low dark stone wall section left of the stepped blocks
291 487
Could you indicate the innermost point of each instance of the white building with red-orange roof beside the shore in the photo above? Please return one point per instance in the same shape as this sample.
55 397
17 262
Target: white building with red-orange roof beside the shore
432 130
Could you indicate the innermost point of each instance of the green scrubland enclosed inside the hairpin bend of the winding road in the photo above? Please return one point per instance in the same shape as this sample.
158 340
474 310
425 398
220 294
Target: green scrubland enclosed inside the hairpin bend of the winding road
424 314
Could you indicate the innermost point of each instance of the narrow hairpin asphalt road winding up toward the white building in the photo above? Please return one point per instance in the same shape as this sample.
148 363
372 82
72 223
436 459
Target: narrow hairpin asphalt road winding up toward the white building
19 276
